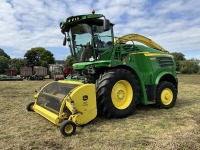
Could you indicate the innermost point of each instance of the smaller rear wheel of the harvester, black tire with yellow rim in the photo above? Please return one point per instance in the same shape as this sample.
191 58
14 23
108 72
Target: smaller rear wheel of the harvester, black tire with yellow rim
166 95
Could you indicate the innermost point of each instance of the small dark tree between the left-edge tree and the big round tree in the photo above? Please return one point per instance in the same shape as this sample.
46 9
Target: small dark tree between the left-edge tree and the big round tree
17 63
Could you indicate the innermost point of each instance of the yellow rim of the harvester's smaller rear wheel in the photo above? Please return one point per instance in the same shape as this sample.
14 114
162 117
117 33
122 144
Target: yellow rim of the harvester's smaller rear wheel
166 96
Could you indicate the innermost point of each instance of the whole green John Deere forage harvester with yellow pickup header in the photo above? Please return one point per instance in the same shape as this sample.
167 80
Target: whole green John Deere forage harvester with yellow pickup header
110 76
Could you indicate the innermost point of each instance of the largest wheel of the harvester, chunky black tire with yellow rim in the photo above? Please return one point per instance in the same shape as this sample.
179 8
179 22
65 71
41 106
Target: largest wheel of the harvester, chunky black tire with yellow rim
117 93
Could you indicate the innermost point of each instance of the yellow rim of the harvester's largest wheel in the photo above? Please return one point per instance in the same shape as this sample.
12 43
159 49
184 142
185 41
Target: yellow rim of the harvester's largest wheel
122 94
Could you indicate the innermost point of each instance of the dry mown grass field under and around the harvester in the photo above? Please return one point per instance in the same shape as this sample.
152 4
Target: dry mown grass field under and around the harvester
148 128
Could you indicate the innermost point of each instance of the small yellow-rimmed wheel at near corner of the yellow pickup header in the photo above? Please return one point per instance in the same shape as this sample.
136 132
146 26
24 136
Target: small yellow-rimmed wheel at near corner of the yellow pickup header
67 128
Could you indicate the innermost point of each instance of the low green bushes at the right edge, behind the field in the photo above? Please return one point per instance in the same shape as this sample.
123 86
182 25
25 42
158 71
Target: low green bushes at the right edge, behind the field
189 66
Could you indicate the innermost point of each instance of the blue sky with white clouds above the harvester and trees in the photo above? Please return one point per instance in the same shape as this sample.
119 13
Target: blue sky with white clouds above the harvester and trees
173 24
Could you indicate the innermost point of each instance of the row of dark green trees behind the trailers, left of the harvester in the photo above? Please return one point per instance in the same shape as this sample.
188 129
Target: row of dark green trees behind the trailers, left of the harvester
37 56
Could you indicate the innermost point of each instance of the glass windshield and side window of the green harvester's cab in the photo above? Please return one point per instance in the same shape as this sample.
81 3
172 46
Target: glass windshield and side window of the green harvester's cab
87 42
